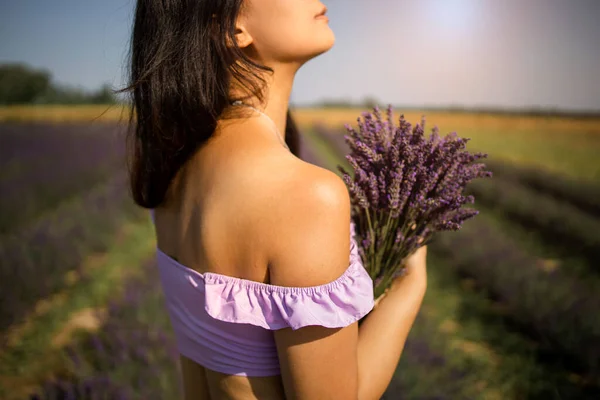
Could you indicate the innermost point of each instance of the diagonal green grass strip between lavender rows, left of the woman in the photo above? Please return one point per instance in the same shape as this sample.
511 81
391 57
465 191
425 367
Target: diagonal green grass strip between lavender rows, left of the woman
30 356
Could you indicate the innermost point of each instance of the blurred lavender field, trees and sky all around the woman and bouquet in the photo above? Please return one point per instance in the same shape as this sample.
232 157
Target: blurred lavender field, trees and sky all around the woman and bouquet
512 308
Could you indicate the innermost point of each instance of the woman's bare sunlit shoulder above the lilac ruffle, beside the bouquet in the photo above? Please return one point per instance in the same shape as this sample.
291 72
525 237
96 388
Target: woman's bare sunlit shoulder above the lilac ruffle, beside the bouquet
309 238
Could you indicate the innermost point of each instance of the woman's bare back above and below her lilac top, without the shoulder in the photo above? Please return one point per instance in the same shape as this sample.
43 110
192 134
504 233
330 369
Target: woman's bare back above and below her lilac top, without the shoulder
204 224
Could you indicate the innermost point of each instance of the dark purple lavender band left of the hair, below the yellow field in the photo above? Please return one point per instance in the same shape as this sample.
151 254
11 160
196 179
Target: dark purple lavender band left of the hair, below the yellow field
41 166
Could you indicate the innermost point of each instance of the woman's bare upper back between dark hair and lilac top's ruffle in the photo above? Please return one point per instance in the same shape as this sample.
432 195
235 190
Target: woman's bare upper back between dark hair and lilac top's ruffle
208 218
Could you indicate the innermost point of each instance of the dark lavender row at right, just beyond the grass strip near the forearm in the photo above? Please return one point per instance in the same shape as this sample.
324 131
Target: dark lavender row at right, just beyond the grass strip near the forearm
552 306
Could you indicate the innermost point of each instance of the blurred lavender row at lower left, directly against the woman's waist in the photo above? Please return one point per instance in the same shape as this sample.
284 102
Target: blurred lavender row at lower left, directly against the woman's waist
139 352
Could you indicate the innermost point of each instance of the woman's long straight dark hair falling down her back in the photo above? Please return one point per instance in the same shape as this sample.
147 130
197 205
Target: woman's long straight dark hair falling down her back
183 57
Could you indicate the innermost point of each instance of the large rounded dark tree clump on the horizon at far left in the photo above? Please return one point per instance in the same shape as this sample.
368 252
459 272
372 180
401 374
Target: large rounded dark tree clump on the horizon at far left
22 84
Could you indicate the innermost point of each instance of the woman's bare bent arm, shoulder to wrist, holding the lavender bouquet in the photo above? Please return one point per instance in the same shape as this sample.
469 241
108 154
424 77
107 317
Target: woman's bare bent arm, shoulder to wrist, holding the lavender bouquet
310 246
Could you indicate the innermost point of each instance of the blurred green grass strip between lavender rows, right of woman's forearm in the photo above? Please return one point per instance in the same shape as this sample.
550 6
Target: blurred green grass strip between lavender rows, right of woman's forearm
503 361
